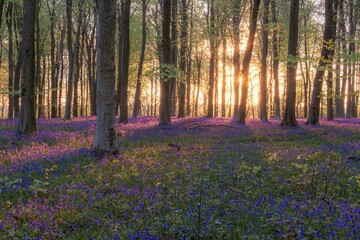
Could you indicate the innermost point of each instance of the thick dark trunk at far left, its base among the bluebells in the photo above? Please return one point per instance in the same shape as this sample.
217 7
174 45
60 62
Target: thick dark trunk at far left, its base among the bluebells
27 120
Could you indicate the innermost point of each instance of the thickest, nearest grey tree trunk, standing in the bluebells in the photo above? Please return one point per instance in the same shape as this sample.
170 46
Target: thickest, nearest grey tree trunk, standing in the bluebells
105 133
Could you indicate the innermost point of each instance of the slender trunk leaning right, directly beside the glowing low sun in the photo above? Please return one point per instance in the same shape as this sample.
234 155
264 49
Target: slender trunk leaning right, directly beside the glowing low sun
246 63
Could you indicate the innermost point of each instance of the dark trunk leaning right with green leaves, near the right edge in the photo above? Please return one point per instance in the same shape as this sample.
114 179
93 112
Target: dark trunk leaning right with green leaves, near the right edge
326 59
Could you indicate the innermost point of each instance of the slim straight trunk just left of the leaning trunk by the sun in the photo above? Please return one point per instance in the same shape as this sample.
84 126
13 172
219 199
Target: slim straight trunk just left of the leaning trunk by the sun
236 56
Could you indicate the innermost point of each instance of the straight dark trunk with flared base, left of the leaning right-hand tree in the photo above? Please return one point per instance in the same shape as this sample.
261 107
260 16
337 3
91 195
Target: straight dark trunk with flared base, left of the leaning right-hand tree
289 118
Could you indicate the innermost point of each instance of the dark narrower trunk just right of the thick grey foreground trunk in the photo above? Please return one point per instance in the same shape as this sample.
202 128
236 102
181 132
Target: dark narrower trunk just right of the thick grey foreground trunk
124 77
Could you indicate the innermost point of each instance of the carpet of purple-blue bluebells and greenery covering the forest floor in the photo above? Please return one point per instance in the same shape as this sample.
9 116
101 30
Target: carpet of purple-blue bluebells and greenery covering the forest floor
197 178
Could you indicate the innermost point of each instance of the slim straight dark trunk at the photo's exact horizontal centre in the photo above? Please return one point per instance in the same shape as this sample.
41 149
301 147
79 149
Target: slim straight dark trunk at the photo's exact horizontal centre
183 51
